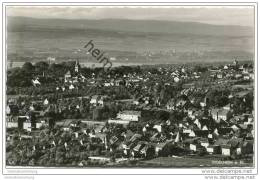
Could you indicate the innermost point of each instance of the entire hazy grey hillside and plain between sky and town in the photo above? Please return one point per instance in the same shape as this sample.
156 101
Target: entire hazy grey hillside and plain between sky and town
31 39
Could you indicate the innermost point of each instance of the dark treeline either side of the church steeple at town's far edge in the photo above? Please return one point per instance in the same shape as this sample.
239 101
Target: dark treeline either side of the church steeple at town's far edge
49 73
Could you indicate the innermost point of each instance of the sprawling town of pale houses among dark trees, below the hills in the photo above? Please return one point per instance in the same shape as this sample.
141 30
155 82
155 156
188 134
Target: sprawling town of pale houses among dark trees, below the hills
188 115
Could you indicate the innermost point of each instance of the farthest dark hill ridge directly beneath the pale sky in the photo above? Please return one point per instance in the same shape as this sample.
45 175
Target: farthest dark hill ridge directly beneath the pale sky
145 26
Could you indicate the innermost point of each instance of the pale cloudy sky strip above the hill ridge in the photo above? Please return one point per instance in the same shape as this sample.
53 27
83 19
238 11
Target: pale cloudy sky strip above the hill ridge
240 15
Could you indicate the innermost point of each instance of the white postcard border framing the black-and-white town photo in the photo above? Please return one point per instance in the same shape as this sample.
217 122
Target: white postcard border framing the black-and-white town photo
28 170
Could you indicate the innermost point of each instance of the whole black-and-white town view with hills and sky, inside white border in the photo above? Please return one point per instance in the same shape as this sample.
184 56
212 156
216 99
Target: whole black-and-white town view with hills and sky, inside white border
138 87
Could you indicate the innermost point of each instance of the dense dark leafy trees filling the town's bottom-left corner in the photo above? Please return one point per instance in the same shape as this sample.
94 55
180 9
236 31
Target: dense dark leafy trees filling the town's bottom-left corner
40 151
